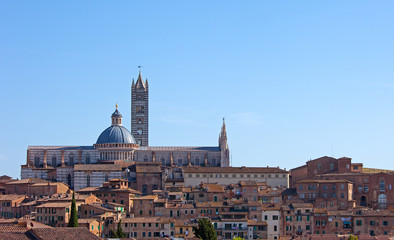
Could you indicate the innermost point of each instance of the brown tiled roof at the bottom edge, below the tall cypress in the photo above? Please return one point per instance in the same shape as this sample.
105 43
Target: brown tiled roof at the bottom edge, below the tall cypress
63 234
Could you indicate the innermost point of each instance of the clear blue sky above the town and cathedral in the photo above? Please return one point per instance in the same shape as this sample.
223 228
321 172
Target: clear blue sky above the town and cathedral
295 80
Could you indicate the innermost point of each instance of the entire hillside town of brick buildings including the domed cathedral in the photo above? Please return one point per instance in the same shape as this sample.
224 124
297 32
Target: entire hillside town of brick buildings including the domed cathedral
161 192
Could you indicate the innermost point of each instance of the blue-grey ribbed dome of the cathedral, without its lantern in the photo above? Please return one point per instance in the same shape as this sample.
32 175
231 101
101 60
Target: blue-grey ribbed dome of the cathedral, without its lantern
115 134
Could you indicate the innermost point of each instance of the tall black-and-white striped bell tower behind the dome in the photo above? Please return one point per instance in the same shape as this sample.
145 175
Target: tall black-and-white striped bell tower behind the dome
140 111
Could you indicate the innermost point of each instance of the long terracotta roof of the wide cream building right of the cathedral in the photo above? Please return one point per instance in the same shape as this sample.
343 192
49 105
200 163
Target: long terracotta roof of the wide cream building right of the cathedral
195 169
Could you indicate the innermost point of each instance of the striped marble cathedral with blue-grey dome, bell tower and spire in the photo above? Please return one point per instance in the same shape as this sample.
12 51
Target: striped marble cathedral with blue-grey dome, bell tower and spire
117 148
